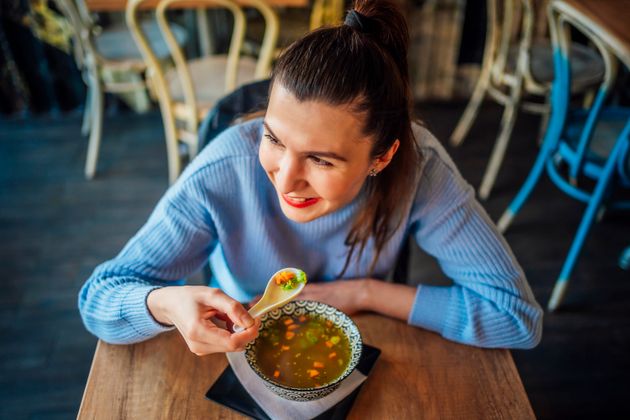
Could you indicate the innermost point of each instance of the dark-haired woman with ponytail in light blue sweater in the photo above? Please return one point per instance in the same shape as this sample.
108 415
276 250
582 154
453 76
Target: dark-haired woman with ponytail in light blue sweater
332 180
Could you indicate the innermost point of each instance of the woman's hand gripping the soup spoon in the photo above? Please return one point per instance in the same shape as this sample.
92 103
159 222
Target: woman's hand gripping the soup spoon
191 309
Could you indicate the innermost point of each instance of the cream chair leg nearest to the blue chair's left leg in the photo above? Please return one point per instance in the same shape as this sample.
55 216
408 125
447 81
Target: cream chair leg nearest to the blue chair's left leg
500 146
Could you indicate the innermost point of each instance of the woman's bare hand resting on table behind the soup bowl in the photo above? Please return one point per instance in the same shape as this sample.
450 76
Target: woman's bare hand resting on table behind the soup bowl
348 296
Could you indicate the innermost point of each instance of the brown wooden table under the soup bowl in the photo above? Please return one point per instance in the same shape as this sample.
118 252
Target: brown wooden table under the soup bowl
418 375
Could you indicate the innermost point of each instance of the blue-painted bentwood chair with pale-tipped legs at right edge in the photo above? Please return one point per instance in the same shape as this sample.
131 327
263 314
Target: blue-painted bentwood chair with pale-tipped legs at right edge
579 145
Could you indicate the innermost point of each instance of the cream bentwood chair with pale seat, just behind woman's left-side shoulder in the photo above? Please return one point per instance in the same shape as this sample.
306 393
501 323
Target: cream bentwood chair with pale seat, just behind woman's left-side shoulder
187 92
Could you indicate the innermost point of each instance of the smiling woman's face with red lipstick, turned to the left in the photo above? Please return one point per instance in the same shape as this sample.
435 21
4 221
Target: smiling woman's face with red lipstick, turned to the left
315 155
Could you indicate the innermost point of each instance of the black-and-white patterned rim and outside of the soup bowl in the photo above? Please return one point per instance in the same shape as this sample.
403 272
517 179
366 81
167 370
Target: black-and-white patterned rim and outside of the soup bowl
309 307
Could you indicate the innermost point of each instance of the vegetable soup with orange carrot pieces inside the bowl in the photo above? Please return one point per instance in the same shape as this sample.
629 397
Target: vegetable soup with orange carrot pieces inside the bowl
302 351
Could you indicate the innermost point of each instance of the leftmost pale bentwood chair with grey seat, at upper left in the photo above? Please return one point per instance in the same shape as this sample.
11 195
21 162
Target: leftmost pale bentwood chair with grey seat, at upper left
109 62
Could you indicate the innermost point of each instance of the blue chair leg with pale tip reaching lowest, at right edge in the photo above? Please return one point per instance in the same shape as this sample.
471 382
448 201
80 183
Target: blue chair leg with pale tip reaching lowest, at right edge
603 185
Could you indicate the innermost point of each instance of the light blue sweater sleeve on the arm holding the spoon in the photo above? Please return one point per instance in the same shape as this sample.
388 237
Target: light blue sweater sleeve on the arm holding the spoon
175 241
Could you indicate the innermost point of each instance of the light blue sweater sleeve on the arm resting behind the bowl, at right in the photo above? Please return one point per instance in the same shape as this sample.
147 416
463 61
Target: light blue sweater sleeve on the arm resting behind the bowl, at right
490 303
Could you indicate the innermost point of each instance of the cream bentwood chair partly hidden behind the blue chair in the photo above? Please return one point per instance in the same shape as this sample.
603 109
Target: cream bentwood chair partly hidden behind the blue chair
516 71
